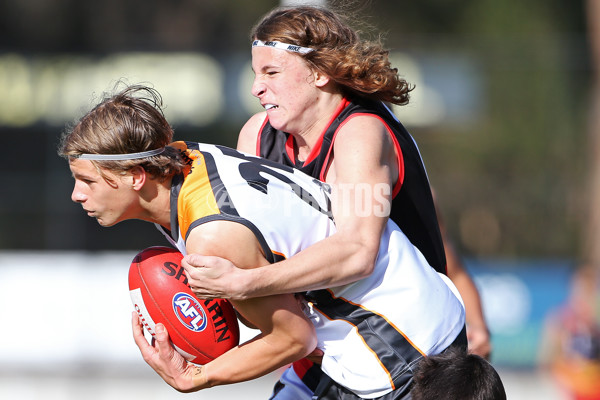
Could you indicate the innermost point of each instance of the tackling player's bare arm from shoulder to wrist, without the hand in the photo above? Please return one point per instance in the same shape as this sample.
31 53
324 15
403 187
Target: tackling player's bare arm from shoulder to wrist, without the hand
361 177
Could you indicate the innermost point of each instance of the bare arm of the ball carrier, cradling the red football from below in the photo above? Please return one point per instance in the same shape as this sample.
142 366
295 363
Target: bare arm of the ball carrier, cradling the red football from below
286 333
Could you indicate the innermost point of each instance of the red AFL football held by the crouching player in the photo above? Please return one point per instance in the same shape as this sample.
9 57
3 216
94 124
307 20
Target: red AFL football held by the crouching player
200 330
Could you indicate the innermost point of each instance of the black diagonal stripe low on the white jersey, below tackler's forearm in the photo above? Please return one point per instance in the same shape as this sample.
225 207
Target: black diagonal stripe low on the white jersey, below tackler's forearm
395 352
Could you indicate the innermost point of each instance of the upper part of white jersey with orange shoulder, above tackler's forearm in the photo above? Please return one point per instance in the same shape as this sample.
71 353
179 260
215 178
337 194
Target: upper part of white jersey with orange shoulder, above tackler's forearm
283 207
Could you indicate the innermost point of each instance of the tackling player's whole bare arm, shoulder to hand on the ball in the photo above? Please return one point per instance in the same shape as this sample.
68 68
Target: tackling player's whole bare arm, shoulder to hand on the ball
363 172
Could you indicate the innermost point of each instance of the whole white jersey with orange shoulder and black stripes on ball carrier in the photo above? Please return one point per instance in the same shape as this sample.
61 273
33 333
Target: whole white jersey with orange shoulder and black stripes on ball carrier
372 331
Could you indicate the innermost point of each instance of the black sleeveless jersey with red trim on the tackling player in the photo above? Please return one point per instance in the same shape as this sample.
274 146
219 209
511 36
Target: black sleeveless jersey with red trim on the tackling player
412 205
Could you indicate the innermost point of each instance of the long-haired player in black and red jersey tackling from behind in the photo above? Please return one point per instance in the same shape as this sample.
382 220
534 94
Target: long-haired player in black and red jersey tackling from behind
324 92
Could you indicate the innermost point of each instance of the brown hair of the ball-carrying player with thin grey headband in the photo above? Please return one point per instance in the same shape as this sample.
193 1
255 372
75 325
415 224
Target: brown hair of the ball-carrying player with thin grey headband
130 121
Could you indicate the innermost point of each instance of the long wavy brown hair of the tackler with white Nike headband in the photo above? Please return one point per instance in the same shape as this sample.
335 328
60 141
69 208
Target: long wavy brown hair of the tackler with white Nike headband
360 67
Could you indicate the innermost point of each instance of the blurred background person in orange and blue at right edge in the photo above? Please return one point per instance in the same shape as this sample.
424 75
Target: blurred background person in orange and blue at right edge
570 349
